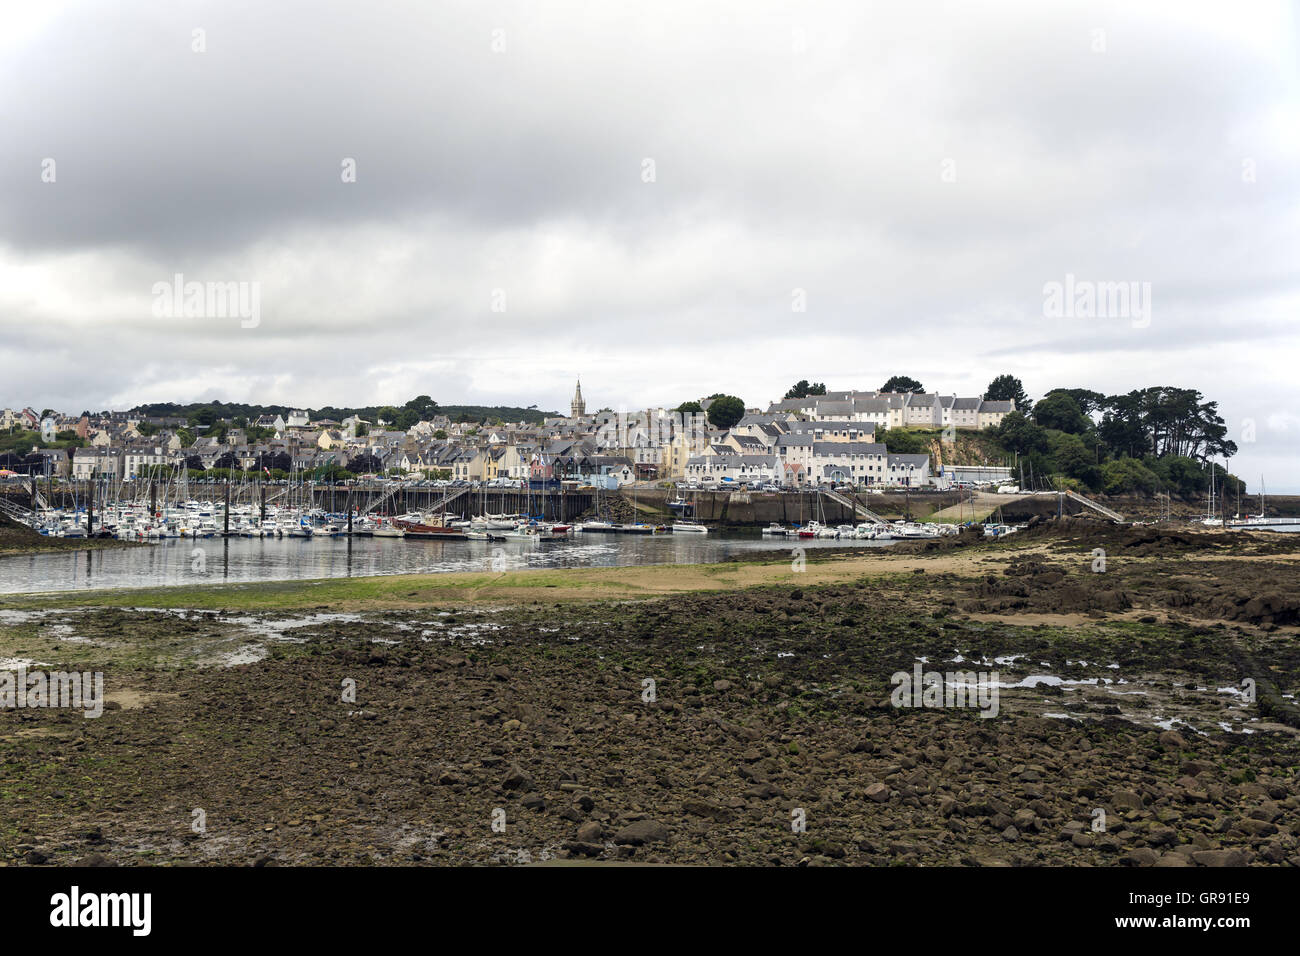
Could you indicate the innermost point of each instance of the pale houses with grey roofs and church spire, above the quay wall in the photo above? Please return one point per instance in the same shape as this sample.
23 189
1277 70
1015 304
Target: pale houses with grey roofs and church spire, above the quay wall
825 439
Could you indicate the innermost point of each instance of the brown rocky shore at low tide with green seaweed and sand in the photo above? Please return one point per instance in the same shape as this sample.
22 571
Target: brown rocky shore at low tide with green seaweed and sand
749 725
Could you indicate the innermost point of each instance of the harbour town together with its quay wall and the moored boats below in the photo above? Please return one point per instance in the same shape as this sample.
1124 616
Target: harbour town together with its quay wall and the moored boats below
150 478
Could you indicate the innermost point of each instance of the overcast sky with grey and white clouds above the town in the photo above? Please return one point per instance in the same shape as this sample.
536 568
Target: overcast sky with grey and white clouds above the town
651 192
